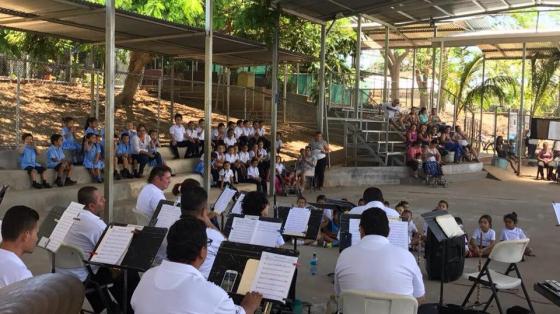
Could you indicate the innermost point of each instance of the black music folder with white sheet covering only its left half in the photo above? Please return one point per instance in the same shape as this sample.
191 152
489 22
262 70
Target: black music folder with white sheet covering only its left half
128 247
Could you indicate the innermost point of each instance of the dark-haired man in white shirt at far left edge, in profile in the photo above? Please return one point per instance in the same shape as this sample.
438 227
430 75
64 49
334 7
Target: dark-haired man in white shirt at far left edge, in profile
19 236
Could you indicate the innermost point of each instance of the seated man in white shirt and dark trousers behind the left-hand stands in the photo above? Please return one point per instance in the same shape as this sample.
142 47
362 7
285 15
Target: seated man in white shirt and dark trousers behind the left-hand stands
84 234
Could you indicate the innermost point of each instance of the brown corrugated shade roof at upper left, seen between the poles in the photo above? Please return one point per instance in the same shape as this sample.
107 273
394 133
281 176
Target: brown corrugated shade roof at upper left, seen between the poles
85 22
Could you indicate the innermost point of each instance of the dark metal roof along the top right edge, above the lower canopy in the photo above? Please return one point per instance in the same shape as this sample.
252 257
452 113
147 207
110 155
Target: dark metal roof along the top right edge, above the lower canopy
404 12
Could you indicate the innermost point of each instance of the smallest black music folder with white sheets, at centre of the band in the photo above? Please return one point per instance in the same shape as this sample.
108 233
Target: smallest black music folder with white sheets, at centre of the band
312 227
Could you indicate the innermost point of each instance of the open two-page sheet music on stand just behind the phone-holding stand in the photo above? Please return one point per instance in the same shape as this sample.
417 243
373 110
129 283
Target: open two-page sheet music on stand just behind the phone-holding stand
253 230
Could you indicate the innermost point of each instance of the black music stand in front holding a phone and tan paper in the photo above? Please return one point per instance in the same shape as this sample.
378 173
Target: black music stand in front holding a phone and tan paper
234 256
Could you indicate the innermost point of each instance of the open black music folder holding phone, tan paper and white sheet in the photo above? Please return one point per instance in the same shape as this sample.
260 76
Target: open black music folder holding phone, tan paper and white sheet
240 268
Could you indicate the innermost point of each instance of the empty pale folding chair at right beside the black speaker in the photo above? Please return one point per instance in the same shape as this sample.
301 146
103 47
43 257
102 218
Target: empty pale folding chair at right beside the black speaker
509 252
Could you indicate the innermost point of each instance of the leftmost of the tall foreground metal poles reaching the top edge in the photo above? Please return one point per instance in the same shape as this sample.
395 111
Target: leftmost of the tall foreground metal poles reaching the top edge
109 107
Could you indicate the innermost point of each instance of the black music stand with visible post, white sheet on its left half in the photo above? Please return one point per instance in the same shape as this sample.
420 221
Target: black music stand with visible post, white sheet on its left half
139 256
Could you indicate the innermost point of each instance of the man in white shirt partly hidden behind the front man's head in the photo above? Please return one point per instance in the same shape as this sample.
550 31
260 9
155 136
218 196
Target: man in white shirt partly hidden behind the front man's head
194 203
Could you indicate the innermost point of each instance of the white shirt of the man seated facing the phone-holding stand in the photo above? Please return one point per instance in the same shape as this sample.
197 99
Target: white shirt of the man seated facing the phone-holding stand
180 289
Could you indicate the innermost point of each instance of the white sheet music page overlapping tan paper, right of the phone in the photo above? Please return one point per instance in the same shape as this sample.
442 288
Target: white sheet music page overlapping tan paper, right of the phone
274 276
